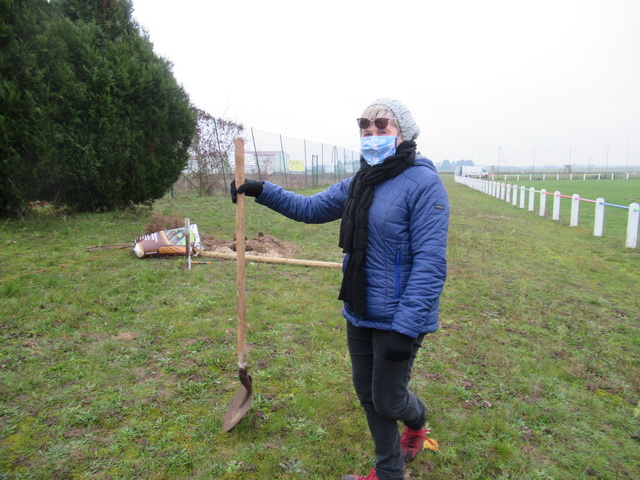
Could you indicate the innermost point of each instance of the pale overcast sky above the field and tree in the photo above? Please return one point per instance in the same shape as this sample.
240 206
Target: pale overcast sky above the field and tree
504 82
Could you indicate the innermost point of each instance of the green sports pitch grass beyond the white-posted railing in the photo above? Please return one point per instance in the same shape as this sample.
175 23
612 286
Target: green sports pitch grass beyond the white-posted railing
617 192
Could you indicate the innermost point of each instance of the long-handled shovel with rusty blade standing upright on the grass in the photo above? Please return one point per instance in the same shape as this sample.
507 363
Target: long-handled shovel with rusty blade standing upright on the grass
242 401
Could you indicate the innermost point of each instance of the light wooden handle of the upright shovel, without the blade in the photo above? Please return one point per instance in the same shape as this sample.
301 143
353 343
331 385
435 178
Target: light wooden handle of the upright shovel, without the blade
240 251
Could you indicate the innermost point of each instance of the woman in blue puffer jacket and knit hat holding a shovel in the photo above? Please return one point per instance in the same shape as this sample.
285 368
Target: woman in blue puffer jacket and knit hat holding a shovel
394 219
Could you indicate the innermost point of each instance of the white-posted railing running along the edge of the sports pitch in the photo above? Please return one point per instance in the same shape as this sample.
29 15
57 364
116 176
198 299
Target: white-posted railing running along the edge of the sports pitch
516 195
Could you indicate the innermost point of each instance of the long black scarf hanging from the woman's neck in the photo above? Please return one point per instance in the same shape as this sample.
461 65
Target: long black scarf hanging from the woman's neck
355 219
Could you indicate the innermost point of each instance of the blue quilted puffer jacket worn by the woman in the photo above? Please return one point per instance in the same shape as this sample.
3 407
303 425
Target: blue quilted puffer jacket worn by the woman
406 254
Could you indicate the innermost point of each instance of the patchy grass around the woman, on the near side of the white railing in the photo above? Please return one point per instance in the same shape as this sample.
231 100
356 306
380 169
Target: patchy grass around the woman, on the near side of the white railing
114 367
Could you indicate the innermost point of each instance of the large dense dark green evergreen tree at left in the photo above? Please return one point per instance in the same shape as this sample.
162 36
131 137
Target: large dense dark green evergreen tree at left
95 120
